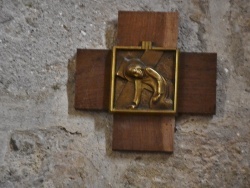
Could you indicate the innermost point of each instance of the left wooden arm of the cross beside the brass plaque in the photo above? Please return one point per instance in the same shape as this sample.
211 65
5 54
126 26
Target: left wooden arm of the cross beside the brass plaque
92 79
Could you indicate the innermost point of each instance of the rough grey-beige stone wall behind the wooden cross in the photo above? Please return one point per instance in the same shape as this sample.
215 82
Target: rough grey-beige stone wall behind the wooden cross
46 143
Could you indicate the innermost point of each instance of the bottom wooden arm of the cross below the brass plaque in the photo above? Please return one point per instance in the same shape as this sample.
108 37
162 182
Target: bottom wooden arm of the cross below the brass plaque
143 133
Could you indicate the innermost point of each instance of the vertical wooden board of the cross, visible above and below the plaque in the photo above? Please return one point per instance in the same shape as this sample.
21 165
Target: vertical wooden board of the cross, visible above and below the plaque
144 132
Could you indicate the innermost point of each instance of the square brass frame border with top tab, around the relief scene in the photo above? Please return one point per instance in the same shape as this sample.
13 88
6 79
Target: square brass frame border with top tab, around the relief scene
146 45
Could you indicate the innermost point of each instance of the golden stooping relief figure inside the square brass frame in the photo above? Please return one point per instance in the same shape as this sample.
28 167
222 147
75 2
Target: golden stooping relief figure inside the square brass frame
145 77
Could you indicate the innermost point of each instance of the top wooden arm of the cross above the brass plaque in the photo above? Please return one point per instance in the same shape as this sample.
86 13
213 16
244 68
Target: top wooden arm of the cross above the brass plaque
158 27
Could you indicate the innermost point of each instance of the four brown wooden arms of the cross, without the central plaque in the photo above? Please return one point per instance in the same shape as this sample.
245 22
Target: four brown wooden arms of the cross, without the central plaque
140 132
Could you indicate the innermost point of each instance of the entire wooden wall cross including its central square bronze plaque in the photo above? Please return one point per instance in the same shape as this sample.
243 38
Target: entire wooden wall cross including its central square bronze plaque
150 82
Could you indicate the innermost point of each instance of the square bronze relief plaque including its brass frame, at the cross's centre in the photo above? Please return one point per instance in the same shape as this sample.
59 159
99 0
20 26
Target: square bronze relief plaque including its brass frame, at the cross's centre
144 79
